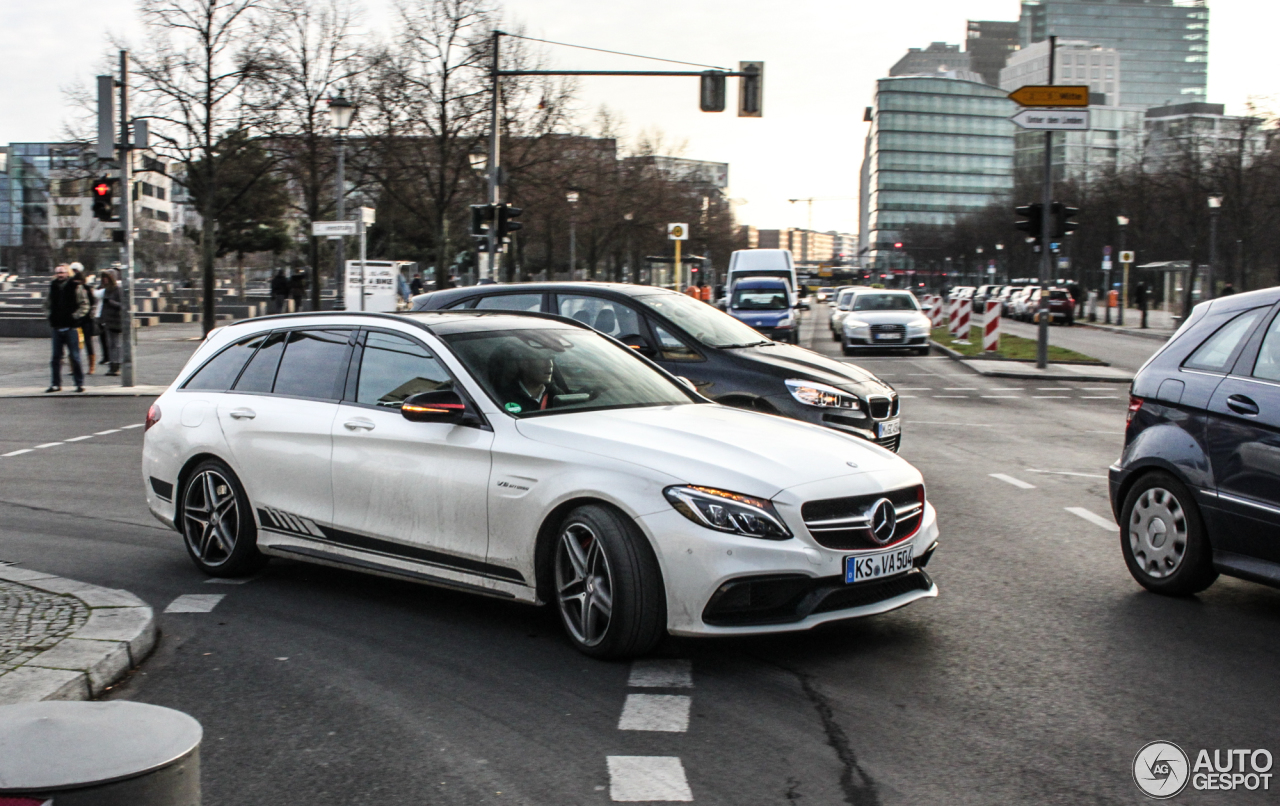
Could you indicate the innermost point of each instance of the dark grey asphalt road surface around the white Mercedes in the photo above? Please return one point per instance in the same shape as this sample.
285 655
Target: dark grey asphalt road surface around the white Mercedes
1034 679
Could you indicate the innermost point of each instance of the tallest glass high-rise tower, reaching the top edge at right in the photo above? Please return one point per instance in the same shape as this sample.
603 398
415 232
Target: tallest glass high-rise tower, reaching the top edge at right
1164 43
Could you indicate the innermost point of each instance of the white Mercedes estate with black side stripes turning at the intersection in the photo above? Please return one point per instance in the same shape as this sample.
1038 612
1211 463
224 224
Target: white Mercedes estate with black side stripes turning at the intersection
531 459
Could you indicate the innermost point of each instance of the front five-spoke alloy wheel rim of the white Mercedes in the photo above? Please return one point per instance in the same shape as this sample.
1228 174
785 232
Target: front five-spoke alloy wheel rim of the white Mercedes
584 585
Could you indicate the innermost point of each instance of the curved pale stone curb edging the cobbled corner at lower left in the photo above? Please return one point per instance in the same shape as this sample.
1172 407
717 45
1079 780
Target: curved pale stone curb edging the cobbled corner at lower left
120 633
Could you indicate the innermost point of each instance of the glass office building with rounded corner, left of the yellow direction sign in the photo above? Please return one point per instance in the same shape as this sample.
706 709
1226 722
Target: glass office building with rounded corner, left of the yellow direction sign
938 149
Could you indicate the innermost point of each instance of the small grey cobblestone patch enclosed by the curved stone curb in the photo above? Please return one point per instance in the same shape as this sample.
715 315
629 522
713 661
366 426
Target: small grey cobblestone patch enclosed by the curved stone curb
34 621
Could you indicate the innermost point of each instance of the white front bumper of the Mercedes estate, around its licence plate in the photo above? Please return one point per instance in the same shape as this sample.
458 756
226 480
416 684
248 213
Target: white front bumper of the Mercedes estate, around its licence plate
801 584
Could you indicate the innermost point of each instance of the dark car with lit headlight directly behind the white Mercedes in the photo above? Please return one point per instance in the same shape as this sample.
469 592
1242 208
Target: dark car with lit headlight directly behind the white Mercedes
726 360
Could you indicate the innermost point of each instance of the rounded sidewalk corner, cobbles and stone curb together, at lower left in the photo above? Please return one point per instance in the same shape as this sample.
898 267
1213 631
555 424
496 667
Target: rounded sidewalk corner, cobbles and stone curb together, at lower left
67 640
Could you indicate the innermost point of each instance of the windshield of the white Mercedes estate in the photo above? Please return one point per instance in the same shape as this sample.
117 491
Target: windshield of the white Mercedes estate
531 373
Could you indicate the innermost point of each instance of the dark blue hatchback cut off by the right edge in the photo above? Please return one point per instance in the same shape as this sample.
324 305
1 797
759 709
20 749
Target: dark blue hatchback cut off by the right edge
1197 488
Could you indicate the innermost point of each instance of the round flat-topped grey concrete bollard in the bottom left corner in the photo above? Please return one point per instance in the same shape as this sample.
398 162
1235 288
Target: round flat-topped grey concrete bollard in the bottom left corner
99 754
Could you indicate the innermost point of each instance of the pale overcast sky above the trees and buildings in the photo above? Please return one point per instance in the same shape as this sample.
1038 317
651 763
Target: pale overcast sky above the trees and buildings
822 59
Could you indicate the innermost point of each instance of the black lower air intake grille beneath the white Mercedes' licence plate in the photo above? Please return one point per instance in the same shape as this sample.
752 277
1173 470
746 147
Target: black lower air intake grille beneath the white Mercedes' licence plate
789 598
